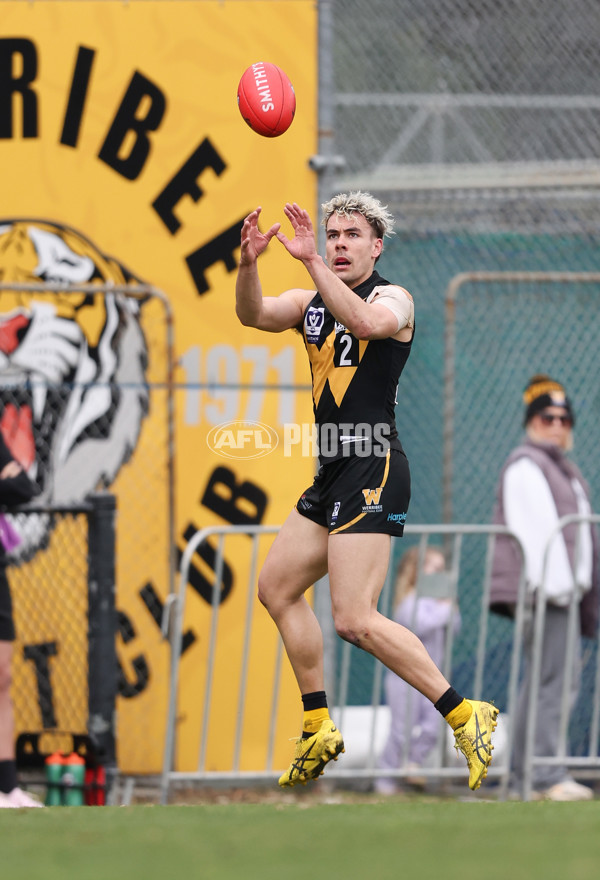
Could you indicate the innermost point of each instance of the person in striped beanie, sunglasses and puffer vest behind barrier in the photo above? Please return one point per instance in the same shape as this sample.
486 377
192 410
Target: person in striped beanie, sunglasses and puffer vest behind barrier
538 485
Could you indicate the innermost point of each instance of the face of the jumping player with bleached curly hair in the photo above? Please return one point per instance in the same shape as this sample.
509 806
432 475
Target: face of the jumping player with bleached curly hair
351 248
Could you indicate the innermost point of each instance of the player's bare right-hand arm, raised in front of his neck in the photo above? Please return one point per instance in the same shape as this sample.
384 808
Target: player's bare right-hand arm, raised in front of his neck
363 320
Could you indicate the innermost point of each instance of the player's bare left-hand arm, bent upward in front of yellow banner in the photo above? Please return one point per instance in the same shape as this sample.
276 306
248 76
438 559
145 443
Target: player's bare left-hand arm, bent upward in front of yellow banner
273 314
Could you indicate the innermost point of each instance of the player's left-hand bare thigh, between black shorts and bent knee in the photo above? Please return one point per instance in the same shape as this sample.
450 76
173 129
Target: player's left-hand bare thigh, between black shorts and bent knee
296 560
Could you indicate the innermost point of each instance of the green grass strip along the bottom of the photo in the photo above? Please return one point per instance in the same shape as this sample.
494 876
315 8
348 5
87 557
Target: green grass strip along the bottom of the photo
450 840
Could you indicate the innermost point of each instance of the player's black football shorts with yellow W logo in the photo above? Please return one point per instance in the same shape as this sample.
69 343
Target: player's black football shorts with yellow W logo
360 494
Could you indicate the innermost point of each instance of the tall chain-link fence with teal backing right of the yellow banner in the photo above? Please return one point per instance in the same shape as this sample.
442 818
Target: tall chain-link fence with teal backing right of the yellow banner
478 125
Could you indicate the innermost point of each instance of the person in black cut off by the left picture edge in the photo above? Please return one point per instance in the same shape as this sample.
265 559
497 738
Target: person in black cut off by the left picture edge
15 488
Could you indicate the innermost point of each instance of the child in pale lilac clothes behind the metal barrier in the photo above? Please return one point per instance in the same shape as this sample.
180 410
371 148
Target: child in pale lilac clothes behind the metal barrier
422 603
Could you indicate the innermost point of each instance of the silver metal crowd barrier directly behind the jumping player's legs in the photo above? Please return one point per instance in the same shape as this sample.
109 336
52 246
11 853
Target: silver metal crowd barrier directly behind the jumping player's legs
454 536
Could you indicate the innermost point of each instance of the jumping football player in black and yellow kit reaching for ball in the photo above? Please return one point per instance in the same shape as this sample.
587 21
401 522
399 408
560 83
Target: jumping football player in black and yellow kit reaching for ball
358 331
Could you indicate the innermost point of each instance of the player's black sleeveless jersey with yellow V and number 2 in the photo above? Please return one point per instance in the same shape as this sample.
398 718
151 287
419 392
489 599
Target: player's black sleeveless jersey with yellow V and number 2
354 381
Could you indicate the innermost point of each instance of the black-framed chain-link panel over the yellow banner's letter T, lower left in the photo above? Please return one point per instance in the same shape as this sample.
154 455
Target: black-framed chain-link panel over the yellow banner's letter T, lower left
64 661
